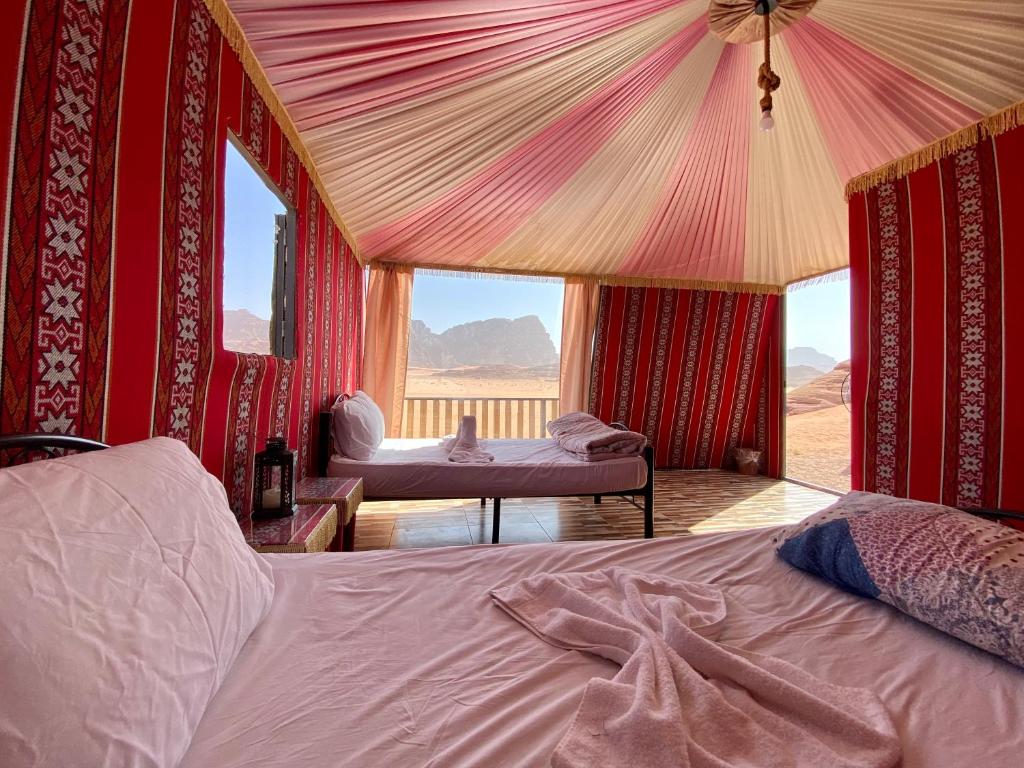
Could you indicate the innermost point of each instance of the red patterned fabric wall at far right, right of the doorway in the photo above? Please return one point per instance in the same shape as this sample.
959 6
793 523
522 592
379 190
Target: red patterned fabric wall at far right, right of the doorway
938 311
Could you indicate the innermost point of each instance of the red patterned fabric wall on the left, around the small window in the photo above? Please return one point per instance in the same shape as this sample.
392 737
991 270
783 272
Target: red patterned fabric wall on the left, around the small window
114 142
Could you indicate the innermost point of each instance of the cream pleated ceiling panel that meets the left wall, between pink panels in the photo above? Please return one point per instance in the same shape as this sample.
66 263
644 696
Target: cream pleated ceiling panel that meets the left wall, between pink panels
437 144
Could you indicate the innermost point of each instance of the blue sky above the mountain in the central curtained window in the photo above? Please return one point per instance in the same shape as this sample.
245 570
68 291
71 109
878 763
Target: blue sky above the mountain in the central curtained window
443 302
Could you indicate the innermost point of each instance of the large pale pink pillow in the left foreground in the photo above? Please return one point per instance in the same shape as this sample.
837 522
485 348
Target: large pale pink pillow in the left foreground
127 591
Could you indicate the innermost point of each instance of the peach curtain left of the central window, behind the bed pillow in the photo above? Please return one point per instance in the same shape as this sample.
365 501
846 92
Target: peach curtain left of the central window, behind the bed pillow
386 357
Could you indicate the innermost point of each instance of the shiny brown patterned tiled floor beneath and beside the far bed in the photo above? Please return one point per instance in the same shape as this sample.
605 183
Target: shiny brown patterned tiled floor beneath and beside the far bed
685 503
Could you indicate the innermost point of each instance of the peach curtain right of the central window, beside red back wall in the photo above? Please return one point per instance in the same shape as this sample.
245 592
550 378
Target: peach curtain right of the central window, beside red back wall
579 322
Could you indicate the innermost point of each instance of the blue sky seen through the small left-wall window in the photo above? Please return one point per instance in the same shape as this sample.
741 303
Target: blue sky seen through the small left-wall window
249 210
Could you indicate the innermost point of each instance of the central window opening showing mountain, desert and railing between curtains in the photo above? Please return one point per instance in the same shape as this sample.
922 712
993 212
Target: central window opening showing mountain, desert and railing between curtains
484 347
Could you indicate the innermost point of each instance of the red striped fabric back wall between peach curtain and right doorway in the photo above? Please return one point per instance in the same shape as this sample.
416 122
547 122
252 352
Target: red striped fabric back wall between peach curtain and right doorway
698 372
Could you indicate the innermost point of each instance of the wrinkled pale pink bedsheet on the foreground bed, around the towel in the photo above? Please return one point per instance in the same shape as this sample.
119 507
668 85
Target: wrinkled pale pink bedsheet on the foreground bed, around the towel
400 659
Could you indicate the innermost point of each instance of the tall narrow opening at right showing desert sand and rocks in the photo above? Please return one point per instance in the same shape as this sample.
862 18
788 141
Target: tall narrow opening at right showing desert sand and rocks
818 387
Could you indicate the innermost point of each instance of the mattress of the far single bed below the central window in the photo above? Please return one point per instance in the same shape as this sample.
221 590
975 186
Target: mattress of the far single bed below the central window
420 470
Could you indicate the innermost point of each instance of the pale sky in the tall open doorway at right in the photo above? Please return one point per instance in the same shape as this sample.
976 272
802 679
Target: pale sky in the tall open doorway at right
819 316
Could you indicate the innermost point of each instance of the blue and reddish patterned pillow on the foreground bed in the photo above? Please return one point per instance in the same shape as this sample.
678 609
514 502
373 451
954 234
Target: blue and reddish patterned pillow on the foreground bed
960 574
